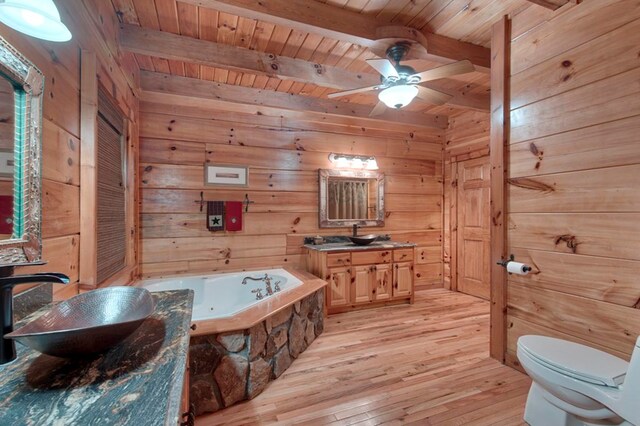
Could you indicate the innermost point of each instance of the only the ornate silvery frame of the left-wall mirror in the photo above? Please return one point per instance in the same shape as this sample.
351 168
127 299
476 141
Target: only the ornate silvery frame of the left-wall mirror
26 248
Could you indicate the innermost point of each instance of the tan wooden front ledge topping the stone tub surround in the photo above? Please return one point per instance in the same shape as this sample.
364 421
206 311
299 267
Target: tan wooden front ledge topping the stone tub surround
267 307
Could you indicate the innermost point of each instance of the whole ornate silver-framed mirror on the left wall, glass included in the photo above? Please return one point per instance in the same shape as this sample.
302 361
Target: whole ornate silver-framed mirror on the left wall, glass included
21 87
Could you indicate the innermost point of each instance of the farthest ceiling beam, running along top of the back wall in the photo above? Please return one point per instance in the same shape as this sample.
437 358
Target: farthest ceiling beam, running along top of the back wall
219 94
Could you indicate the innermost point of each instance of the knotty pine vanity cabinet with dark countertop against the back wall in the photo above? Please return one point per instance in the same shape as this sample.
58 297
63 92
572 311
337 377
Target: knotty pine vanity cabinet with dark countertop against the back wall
360 277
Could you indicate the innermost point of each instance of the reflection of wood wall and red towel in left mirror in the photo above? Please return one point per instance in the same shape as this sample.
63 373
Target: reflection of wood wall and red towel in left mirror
7 136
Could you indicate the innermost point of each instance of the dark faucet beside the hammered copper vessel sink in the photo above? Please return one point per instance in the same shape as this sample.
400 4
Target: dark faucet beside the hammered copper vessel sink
7 282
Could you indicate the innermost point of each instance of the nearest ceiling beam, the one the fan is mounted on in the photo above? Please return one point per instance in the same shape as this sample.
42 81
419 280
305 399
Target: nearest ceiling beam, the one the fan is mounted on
343 24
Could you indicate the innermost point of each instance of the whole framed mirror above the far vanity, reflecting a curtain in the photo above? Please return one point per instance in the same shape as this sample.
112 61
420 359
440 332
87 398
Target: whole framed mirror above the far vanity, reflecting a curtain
351 197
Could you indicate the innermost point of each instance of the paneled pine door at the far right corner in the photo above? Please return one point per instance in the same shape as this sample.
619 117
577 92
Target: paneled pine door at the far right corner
473 262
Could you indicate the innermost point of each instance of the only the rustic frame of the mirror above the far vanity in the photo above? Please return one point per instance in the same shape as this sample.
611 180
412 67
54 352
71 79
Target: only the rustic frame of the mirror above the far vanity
325 174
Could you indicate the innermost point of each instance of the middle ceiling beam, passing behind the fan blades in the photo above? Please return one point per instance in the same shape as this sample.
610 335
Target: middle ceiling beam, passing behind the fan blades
181 48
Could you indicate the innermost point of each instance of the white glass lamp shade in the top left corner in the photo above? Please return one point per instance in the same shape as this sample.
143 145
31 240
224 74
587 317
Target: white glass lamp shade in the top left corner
36 18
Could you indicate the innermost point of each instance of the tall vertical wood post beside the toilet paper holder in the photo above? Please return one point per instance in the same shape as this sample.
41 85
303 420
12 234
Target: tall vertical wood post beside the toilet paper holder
498 145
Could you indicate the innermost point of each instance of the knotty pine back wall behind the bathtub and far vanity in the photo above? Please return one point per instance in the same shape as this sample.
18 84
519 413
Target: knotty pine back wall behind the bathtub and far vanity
284 154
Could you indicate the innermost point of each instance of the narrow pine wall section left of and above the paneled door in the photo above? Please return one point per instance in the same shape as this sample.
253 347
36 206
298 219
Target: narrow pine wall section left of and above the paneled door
467 137
